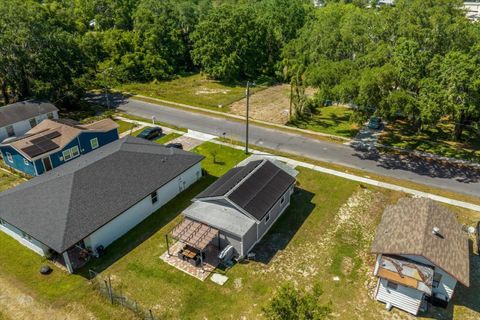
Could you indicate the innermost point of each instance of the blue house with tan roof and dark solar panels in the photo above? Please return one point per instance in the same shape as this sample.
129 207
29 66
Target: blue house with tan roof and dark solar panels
54 142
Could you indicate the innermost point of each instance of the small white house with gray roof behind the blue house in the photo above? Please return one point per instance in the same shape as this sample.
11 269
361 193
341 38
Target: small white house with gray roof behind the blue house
18 118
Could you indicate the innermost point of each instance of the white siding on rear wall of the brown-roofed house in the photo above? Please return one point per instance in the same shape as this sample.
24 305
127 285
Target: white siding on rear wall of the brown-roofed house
404 298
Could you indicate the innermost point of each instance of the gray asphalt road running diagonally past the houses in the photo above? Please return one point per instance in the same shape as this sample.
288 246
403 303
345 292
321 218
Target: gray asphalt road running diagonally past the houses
417 170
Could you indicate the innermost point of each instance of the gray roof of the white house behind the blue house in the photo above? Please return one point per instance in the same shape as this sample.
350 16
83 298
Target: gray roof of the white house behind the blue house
24 110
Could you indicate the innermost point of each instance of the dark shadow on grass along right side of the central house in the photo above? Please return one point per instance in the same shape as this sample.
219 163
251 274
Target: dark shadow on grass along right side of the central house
282 232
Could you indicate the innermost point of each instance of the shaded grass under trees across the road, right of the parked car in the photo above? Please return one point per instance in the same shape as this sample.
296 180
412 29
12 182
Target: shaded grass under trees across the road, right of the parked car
436 140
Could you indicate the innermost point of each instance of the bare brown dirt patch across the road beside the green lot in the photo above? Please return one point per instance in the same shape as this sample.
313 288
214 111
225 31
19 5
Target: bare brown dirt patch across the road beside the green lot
271 104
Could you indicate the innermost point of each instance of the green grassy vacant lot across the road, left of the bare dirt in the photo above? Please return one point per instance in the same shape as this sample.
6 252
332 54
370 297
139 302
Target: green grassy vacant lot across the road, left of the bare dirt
193 90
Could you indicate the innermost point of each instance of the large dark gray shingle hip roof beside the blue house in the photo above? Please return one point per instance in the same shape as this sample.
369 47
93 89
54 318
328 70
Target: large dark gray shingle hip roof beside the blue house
67 204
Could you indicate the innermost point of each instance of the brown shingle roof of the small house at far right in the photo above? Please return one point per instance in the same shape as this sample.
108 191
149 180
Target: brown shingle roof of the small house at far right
406 229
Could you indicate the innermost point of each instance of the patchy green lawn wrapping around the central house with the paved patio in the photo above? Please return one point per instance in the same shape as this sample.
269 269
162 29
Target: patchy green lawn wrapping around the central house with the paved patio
284 255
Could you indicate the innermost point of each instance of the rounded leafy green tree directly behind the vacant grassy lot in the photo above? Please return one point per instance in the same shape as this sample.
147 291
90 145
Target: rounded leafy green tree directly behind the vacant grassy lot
232 43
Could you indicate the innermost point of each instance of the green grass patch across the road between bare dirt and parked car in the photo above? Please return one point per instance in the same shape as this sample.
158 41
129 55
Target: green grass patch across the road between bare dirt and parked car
333 120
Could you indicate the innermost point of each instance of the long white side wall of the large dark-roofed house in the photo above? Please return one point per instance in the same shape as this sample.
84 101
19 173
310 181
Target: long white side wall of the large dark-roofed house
133 216
